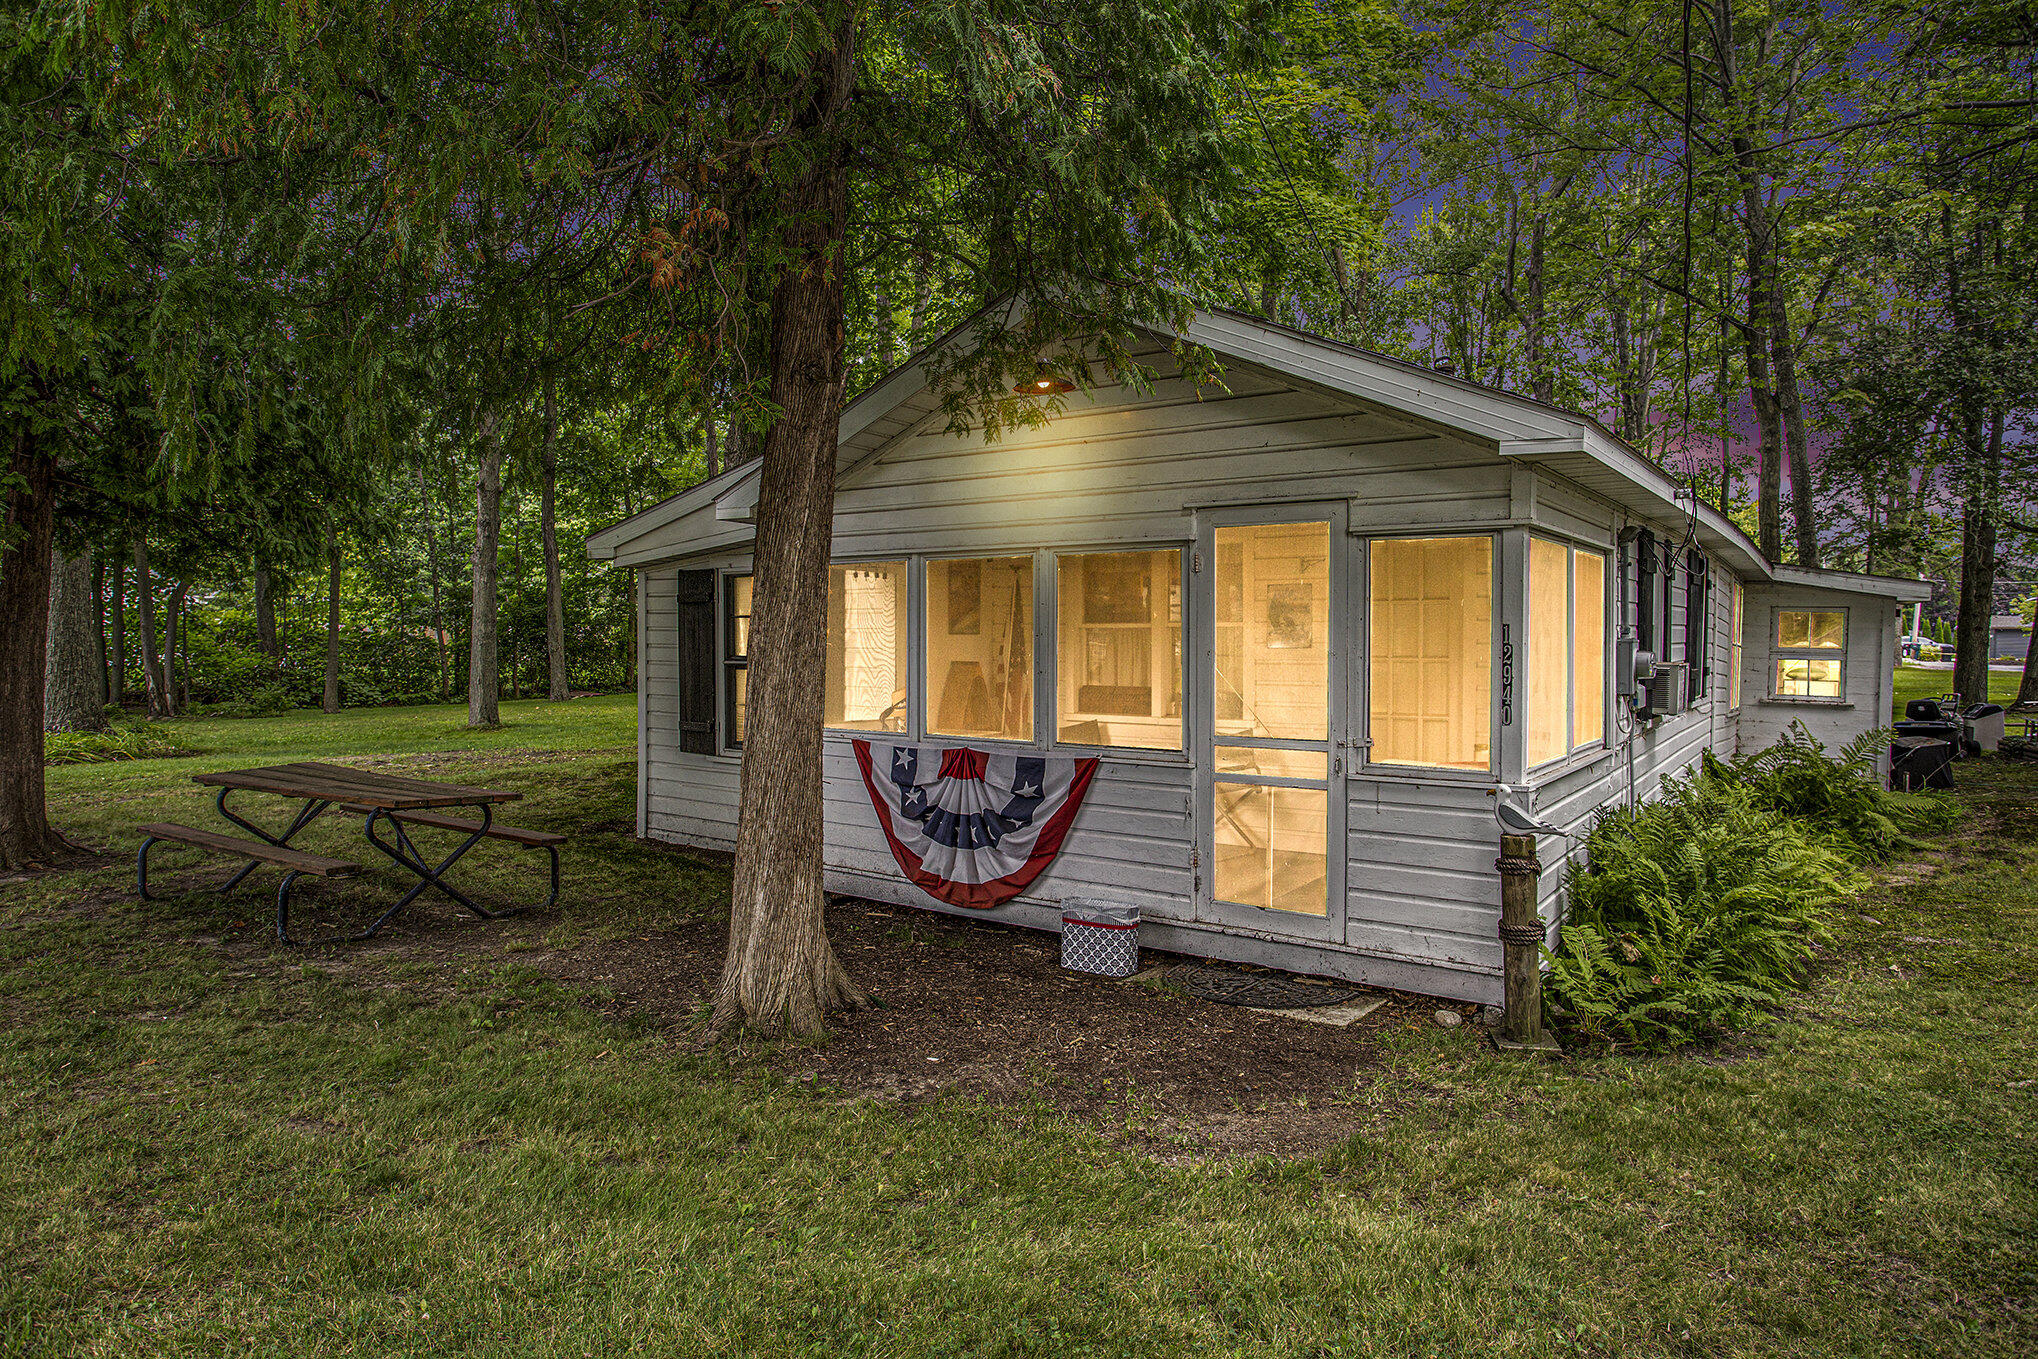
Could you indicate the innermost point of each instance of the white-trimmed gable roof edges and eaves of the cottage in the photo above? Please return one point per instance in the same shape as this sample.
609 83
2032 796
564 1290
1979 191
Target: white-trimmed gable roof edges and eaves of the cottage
1568 443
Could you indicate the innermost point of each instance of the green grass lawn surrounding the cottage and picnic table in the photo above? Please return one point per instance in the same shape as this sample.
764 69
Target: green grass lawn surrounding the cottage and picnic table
219 1146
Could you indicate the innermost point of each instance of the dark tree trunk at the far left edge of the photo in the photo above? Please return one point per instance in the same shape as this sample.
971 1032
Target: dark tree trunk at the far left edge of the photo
25 537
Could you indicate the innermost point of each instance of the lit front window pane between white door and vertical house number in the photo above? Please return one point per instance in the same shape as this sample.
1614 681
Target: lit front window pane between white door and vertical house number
1434 651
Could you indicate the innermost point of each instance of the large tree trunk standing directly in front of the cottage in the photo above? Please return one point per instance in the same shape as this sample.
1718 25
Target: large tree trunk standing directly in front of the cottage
782 975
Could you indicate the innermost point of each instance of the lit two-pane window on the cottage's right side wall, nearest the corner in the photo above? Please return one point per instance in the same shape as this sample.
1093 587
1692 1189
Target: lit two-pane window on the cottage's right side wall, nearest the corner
1566 649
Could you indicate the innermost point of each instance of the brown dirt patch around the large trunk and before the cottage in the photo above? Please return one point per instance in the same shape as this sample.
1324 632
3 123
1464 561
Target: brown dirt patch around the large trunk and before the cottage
961 1010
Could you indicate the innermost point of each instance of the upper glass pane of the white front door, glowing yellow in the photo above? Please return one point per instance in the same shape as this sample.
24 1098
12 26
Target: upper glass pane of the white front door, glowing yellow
1275 631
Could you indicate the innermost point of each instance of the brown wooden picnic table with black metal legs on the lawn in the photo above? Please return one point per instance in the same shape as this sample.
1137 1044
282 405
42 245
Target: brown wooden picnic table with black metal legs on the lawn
388 804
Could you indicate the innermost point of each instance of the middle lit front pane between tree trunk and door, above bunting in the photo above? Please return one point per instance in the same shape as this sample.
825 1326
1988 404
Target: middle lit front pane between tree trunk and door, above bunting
981 647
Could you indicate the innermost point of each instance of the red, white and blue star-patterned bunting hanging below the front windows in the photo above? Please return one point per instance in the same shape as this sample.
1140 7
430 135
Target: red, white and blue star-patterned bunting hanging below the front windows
973 828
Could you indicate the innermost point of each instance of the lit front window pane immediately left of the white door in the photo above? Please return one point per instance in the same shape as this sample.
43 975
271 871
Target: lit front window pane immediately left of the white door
1120 663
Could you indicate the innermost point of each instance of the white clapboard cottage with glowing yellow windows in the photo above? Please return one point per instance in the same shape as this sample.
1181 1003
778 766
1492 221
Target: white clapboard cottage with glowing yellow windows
1307 622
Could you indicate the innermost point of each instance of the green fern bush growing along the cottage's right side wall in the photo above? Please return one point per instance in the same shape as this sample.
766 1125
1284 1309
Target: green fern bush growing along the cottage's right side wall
1701 912
